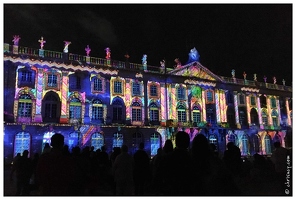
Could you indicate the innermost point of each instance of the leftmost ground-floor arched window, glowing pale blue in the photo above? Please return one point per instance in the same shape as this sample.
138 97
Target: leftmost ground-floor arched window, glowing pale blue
22 141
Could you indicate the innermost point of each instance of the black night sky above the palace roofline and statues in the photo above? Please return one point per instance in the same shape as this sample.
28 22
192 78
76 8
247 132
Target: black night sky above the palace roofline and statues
255 38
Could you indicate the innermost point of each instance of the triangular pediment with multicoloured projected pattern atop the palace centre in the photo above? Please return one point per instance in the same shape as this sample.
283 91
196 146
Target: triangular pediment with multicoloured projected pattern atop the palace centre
195 69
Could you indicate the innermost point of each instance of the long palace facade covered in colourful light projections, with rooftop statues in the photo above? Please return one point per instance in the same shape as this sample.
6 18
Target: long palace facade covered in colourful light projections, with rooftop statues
101 101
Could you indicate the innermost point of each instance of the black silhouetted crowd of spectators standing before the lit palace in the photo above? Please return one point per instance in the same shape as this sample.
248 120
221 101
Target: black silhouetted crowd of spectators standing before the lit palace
194 169
